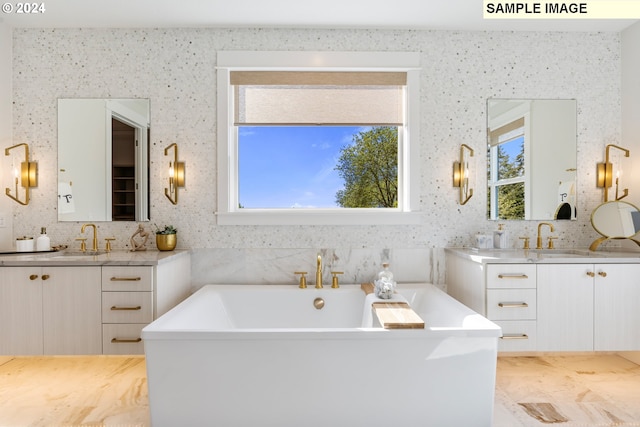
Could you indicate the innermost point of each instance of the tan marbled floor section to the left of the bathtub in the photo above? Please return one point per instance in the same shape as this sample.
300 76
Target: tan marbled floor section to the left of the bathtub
73 391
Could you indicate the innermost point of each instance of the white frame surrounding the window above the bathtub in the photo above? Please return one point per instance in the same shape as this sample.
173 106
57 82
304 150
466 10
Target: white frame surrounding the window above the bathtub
228 212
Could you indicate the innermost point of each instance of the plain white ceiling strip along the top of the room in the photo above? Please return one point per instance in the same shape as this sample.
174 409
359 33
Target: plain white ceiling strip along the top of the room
464 15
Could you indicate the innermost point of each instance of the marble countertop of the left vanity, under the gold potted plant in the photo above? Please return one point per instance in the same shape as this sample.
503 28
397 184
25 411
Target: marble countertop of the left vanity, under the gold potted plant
69 258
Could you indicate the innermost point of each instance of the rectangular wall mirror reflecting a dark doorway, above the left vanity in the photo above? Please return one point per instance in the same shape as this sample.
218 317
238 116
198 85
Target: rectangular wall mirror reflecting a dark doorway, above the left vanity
103 159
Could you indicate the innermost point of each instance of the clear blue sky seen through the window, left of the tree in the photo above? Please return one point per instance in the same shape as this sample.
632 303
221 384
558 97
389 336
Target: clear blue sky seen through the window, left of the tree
284 167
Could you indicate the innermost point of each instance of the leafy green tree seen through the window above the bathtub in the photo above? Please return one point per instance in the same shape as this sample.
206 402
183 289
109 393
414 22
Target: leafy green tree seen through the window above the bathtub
369 167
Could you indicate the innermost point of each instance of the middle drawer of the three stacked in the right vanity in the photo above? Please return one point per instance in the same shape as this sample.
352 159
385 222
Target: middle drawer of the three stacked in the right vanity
511 304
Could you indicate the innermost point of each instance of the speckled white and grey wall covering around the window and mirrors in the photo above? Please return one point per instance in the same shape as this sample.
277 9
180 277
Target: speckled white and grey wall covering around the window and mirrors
175 69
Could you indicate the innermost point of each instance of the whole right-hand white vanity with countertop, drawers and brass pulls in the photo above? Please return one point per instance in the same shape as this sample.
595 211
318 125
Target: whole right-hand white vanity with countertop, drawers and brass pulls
582 303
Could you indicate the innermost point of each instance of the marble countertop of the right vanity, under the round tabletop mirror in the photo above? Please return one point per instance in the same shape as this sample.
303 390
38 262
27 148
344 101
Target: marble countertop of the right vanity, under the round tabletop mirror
545 256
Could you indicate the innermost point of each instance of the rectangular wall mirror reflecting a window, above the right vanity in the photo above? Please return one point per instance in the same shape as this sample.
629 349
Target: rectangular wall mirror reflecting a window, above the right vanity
531 160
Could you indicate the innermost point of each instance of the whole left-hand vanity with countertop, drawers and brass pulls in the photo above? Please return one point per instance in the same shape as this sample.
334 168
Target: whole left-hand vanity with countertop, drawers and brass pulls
60 307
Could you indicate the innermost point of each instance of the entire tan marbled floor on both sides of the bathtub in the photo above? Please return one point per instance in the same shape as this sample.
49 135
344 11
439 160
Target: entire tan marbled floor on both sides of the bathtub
65 391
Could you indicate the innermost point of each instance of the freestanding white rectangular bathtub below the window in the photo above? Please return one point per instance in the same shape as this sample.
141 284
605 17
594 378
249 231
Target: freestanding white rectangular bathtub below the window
254 356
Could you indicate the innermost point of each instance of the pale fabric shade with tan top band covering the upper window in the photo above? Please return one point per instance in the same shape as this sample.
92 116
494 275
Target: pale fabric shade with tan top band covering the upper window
318 98
